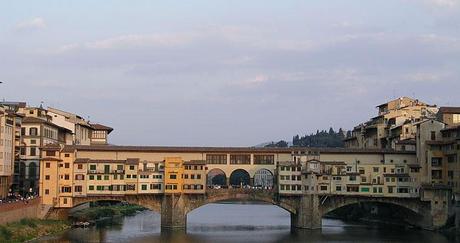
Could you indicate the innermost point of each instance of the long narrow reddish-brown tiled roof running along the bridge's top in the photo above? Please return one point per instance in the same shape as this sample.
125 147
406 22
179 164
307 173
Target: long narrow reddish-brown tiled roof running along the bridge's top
231 149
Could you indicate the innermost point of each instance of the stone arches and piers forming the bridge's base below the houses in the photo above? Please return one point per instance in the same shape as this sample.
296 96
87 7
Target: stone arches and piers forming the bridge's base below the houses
306 210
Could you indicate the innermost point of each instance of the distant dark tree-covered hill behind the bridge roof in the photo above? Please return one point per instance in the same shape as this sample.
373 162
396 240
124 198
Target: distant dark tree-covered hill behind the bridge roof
331 139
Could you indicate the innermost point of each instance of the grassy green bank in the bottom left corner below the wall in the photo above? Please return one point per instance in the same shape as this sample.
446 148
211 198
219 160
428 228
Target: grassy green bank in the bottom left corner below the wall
27 229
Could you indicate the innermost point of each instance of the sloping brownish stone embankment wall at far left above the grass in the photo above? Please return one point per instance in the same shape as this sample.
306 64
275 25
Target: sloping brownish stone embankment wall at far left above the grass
16 211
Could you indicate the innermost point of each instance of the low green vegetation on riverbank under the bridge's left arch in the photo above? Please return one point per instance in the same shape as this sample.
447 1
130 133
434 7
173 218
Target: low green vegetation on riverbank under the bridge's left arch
95 213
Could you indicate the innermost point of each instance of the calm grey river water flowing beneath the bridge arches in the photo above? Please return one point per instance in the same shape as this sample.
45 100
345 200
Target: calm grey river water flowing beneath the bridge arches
239 223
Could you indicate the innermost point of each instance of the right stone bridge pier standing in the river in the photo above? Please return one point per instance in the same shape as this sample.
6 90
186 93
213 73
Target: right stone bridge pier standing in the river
307 215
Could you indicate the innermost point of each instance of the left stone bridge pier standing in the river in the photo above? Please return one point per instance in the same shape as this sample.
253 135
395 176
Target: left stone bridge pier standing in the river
173 214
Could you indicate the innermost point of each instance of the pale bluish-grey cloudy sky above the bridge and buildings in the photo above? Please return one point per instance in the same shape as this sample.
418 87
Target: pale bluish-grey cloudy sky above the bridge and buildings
227 73
